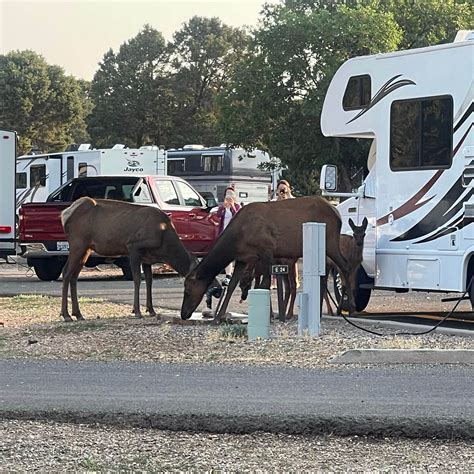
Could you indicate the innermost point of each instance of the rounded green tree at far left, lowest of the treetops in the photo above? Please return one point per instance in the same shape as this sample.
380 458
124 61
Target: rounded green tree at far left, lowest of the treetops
43 105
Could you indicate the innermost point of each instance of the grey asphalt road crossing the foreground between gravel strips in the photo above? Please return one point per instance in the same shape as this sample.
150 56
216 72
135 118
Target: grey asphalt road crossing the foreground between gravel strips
389 401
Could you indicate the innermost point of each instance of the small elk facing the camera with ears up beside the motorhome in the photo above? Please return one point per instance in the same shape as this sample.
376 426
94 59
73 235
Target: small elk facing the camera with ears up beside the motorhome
351 248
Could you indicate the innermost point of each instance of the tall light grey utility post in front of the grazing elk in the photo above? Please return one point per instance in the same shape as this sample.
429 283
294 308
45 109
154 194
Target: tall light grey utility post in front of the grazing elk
314 266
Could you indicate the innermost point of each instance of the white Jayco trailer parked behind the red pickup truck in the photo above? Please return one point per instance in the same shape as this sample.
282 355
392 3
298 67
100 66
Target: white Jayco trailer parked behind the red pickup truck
37 176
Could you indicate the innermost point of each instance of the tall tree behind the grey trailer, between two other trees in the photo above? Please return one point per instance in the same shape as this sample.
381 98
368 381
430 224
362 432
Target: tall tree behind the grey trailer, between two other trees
203 53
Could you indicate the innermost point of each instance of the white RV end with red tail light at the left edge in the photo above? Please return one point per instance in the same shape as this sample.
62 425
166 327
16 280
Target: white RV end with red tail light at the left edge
7 193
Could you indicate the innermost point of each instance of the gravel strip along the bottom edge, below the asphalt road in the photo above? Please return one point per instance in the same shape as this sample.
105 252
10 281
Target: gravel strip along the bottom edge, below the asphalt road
47 447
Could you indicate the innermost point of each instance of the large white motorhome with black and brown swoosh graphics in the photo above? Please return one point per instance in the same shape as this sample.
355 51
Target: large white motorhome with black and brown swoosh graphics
417 107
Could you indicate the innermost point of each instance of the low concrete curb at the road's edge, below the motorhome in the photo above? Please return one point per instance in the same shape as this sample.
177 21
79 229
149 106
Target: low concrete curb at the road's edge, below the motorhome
405 356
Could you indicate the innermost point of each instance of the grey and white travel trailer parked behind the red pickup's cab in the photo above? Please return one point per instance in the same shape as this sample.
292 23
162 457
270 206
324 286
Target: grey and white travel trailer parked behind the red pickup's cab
212 170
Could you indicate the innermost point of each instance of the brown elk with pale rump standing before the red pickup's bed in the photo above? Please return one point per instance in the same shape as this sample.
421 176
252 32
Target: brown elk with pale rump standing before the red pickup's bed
113 228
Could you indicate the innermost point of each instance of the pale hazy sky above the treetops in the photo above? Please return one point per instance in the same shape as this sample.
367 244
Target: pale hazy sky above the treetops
75 34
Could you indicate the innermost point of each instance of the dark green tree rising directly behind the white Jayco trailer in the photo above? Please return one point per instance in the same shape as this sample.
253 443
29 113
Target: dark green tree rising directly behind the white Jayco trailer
130 92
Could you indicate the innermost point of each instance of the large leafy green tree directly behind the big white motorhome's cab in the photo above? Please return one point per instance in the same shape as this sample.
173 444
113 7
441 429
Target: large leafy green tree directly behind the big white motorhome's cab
274 99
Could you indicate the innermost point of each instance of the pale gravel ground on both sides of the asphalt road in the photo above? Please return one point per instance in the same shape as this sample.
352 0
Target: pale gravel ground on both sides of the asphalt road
31 328
